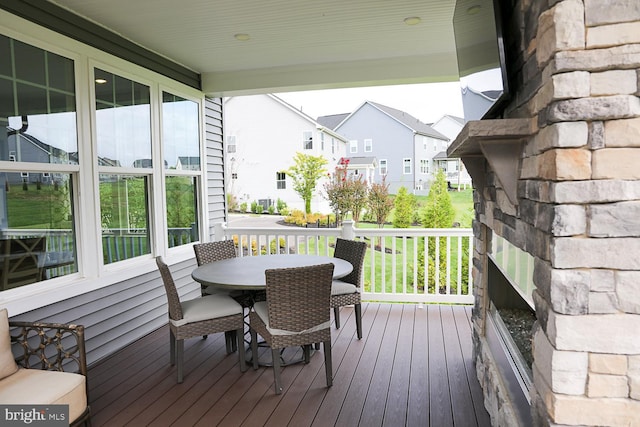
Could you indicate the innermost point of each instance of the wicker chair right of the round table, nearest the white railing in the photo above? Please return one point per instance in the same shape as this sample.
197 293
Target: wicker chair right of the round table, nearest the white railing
346 290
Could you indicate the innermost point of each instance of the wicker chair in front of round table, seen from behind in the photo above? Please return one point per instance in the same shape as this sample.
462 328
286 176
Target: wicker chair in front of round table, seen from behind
296 313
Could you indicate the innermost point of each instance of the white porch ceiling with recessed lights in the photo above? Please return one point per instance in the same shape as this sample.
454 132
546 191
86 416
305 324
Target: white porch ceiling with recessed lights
293 45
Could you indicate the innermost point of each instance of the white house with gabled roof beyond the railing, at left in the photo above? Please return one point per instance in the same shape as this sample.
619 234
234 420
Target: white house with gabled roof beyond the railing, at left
254 126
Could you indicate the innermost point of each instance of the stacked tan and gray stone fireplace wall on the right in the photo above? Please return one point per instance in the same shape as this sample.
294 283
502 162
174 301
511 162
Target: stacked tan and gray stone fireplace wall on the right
575 67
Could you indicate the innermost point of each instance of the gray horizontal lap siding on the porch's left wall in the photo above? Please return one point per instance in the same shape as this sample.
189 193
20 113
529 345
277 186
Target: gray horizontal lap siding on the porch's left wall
119 314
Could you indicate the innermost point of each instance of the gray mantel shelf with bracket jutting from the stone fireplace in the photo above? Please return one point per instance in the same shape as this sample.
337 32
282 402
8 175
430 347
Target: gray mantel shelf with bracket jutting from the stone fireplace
500 142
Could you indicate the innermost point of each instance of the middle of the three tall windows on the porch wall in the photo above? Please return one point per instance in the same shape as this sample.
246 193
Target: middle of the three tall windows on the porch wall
123 131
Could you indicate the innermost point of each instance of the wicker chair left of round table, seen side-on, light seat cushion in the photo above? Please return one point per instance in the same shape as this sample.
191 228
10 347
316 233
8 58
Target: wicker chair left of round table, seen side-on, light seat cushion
201 316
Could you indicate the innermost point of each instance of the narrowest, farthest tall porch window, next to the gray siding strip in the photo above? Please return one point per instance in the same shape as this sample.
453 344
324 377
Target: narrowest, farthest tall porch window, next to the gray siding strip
181 141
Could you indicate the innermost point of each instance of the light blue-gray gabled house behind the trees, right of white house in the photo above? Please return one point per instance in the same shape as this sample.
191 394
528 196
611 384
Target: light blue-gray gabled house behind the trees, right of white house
403 146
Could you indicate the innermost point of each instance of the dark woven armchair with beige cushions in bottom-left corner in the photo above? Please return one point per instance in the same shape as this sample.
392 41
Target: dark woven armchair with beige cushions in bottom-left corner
46 364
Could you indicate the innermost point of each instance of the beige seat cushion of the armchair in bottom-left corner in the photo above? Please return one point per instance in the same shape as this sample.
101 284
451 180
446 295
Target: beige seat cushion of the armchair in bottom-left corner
38 387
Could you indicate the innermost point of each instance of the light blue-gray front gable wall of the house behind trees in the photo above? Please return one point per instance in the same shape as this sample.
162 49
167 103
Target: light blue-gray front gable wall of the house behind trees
391 141
